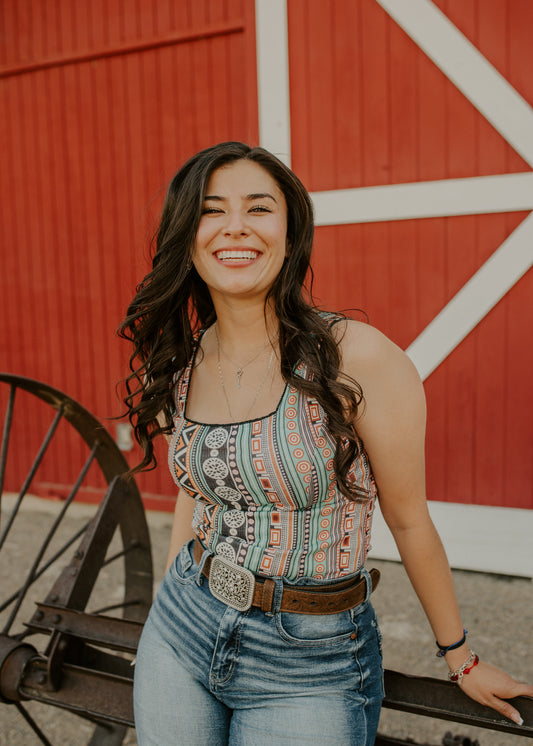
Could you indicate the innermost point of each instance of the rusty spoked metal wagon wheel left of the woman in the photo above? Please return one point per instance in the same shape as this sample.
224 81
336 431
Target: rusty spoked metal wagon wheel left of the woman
91 579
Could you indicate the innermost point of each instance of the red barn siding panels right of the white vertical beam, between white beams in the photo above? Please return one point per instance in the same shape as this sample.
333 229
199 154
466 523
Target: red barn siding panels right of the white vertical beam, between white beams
369 108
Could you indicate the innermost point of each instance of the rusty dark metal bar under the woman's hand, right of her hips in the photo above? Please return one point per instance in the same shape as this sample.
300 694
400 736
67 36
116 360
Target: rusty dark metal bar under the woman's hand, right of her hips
441 699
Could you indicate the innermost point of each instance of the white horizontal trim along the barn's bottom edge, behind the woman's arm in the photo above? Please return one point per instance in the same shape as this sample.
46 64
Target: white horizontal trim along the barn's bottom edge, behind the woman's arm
476 537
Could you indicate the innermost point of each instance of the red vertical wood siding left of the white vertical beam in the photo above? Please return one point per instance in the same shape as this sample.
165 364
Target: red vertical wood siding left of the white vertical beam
101 102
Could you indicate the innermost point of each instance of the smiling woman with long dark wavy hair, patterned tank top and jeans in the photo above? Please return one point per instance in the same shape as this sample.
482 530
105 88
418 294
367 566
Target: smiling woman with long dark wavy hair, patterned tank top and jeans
284 424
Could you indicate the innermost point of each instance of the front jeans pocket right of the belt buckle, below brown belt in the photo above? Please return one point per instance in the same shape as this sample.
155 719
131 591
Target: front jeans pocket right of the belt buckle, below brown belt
315 630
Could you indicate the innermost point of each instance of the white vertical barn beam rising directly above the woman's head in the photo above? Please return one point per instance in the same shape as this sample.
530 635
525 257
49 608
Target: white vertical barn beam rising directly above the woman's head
272 49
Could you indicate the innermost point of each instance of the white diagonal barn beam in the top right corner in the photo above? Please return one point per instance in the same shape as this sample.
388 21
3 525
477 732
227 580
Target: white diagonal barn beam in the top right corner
468 69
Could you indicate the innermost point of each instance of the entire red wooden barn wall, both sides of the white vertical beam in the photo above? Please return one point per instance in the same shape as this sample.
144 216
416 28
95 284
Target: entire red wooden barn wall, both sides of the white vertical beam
101 106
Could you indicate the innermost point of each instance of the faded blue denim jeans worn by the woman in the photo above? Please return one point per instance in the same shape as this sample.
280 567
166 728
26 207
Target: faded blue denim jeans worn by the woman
208 675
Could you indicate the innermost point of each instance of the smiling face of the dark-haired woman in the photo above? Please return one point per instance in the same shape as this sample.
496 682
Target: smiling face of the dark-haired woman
241 241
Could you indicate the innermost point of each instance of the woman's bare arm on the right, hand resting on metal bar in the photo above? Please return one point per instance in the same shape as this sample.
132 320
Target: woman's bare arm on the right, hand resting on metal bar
392 427
